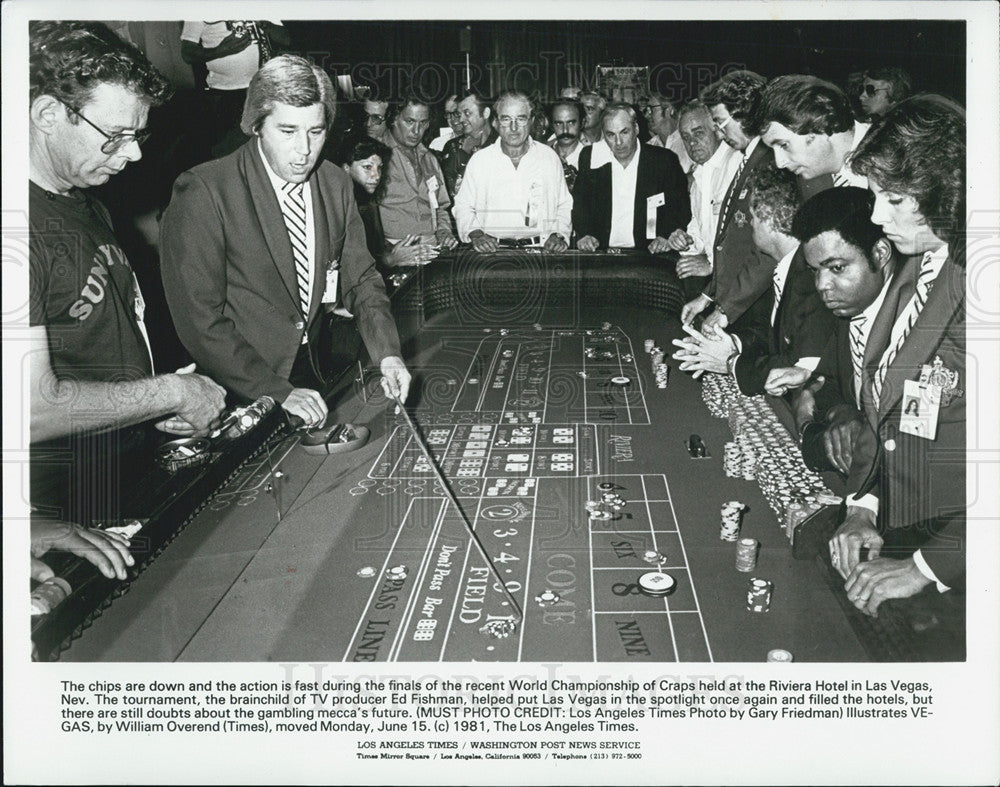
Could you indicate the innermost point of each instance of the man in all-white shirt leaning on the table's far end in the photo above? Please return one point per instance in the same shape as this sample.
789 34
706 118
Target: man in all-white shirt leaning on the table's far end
514 192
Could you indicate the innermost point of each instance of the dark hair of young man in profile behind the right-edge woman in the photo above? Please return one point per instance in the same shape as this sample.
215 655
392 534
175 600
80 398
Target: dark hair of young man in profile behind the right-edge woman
804 105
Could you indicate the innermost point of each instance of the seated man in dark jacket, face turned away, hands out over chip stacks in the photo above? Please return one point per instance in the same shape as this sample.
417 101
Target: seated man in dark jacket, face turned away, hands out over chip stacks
799 325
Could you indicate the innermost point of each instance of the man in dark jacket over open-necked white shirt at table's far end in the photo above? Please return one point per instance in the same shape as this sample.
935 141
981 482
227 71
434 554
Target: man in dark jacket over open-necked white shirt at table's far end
628 194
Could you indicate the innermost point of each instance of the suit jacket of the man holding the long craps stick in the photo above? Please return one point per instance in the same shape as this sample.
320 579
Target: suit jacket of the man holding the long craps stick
229 274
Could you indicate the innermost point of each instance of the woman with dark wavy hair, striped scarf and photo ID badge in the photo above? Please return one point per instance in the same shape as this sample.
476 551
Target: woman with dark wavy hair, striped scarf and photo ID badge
909 488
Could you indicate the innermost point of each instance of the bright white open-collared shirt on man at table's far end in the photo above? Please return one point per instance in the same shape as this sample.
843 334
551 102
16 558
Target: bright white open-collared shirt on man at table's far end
505 201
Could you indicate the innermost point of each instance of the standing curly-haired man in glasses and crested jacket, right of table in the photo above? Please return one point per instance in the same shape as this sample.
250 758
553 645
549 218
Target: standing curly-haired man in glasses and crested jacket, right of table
741 275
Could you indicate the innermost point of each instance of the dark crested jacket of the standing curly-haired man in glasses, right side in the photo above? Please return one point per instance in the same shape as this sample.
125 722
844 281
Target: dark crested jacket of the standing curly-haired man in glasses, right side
741 273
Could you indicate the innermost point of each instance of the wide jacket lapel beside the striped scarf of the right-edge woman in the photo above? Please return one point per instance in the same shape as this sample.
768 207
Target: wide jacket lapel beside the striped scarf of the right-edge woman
942 304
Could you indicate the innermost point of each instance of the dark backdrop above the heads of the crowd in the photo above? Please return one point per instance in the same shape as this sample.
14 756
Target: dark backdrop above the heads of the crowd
683 57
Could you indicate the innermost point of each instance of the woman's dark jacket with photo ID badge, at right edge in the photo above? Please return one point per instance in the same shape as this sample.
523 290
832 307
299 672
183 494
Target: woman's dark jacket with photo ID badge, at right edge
920 483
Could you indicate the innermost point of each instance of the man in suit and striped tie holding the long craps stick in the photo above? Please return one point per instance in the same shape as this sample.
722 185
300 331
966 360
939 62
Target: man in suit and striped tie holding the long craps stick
257 245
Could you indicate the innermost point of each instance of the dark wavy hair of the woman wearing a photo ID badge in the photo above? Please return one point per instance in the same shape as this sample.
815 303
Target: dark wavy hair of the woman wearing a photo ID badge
918 149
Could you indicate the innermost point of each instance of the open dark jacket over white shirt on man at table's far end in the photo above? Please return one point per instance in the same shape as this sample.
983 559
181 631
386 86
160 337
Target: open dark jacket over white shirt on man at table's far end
659 172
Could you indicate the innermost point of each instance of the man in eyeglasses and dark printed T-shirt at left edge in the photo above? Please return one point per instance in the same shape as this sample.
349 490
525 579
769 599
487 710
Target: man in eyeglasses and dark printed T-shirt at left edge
93 386
